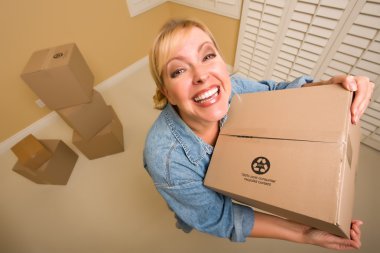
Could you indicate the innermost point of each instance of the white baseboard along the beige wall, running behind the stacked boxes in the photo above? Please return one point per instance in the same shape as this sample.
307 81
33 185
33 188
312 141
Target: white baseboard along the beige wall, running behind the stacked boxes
52 116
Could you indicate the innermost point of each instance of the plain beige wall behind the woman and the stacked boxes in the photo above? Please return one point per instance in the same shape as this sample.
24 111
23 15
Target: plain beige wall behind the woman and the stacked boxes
107 36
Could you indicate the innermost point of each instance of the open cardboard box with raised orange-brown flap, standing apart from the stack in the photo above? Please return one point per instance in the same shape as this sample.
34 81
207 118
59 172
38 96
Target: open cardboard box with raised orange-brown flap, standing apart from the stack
44 161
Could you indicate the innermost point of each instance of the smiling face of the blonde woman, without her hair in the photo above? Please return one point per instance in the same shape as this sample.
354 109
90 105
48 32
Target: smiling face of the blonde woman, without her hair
196 79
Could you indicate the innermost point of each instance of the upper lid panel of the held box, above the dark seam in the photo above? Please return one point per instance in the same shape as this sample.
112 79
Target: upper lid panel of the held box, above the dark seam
295 114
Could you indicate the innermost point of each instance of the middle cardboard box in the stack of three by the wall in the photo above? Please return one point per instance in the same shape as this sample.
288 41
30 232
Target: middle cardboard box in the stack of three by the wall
89 118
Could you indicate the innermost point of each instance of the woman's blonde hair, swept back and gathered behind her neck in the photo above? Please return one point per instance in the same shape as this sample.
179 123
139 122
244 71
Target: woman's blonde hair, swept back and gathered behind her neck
167 39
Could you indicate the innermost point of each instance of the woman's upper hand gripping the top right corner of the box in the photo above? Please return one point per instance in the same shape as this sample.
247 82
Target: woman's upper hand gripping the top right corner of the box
363 89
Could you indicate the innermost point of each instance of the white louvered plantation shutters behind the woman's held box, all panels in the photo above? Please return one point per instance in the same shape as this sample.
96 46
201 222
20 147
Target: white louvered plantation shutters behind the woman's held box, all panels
282 40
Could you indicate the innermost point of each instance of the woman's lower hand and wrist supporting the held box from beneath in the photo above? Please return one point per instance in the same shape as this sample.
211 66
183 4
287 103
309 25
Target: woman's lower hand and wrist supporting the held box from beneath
326 240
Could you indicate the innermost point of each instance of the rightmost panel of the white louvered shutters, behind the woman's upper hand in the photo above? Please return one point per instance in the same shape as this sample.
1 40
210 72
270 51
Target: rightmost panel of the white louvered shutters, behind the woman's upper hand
359 54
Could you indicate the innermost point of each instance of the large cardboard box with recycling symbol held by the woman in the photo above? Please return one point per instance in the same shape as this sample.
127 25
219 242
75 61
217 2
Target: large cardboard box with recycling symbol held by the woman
292 153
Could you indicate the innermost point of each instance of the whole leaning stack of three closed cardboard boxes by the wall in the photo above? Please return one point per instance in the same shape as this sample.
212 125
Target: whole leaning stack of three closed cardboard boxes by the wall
62 79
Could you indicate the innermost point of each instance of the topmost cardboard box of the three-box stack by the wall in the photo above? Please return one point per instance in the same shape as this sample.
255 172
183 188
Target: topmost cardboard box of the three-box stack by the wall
59 76
